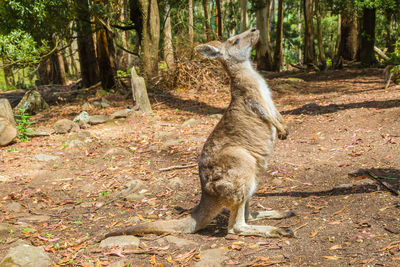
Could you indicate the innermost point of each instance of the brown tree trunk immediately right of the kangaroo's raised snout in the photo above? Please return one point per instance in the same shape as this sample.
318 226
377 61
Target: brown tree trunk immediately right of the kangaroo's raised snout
263 47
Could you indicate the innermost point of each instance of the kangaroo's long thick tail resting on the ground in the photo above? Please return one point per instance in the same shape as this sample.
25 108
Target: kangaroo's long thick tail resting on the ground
202 215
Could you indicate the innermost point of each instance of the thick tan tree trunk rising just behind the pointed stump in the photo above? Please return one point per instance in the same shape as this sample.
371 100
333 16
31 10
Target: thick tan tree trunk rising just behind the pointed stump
151 37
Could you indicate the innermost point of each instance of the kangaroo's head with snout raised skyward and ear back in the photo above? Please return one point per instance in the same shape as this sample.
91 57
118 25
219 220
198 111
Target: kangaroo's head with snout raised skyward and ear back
235 50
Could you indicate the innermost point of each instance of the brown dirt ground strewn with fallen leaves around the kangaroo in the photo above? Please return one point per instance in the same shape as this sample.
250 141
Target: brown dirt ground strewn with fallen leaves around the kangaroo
344 131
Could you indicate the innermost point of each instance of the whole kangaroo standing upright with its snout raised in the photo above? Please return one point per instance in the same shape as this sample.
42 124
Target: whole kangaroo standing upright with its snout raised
235 152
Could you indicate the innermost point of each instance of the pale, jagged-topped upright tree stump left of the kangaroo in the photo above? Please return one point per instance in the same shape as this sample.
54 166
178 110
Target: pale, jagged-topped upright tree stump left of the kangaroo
139 93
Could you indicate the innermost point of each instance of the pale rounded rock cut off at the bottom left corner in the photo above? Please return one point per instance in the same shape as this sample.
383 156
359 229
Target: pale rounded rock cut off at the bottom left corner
27 256
